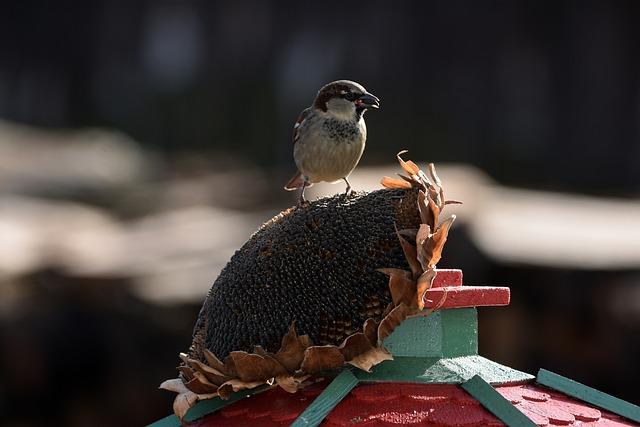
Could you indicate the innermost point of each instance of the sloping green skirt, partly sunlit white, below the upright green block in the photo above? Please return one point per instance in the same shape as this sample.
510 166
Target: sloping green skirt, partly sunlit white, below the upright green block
454 370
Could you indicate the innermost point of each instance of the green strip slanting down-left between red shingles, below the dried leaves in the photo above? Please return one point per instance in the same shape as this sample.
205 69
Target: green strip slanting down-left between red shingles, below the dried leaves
327 400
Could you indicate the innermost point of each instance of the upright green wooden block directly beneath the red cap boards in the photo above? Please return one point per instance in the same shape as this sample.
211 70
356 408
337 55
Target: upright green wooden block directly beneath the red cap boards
444 333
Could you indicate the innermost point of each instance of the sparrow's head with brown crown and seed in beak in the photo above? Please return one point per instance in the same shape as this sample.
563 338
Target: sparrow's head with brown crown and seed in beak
345 99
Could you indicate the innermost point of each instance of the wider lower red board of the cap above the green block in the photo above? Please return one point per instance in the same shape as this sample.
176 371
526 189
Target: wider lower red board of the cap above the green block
466 296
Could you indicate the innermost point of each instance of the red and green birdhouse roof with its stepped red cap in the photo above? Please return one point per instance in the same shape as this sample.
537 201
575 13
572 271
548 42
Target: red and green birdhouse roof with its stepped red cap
435 378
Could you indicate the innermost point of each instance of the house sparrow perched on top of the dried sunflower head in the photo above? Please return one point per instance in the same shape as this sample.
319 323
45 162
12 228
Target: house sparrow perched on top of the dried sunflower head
329 136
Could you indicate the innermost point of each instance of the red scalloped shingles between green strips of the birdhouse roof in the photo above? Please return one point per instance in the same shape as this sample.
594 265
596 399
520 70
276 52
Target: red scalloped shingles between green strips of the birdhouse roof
388 404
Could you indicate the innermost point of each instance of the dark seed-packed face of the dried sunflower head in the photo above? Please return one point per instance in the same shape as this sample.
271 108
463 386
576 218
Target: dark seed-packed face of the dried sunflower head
315 265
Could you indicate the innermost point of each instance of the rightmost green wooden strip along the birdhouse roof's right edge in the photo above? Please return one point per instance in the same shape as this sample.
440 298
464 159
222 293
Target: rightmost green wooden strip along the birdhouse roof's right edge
589 395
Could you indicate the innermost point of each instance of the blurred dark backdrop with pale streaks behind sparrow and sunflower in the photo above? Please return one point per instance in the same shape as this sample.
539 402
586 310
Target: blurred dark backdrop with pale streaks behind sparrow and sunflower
142 142
